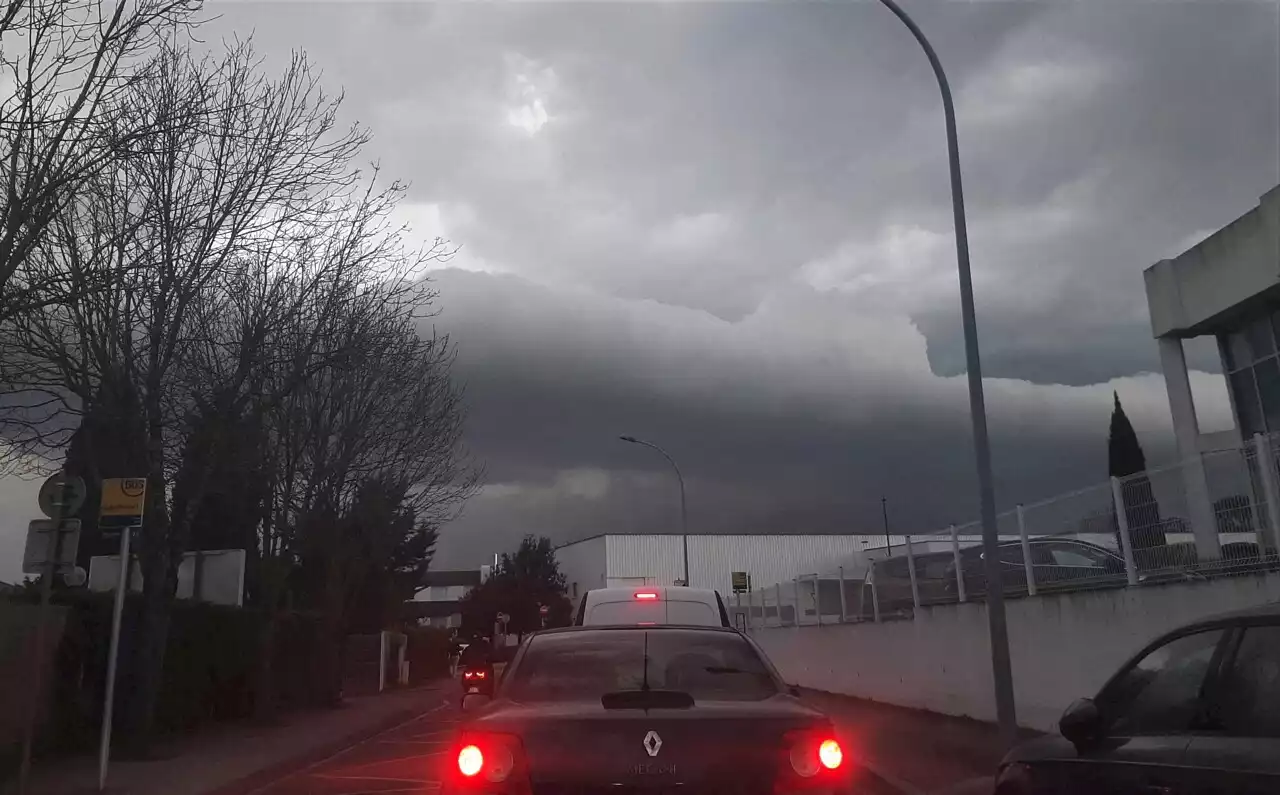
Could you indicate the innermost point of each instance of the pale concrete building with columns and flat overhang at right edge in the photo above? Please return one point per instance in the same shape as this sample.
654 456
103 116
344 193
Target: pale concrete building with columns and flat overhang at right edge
1227 287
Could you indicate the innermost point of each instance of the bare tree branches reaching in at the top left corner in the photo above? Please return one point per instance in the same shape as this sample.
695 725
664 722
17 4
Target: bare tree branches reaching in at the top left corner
63 67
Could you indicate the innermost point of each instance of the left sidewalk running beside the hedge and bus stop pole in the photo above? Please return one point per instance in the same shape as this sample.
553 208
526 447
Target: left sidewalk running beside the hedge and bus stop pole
234 760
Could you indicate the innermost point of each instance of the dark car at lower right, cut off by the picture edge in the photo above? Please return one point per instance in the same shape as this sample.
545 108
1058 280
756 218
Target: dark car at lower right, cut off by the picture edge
1197 712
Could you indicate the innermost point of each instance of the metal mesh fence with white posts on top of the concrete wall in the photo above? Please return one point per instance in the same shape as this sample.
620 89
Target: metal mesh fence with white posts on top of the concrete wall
1126 533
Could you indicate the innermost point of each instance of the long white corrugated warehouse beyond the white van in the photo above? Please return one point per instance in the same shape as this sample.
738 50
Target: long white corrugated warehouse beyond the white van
605 561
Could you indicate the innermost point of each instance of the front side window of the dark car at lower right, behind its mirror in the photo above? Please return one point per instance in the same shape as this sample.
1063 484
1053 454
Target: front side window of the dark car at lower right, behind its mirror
1160 695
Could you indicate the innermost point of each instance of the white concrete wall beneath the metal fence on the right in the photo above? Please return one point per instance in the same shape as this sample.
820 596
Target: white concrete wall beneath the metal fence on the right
1063 647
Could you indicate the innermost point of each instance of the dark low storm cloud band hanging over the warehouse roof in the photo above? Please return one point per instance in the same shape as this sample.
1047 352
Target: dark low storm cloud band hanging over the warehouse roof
797 418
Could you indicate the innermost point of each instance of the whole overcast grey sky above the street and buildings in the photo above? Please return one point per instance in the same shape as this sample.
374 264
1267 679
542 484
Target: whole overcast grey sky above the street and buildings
728 229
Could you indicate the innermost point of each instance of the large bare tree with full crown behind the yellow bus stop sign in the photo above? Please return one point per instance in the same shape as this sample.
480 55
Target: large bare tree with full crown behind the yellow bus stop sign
221 227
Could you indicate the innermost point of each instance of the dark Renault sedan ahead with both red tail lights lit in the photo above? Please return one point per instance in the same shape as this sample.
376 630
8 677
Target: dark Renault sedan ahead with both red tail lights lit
660 710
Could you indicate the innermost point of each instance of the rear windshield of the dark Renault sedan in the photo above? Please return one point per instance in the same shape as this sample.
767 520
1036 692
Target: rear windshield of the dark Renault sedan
584 666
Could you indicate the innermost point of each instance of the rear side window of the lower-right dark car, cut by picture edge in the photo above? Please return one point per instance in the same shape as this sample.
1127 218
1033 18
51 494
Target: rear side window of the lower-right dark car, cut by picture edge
1250 692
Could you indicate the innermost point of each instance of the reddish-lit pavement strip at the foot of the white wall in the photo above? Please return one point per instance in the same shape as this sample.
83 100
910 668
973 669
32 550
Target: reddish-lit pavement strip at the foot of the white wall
916 751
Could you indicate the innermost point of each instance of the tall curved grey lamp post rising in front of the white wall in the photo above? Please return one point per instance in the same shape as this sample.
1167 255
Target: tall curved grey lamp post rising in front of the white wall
1000 666
